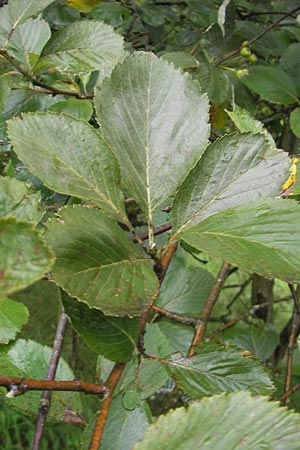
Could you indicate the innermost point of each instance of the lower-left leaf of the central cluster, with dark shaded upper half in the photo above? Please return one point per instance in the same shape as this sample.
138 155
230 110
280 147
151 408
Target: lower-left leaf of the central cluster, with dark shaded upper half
98 264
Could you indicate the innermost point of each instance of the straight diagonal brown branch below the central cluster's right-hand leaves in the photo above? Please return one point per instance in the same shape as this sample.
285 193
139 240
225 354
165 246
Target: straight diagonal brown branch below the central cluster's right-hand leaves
207 310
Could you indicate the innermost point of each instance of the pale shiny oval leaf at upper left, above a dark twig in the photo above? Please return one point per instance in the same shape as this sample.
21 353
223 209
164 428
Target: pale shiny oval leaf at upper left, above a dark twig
83 47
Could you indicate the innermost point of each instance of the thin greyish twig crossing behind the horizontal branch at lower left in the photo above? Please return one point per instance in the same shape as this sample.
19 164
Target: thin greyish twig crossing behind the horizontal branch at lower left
46 395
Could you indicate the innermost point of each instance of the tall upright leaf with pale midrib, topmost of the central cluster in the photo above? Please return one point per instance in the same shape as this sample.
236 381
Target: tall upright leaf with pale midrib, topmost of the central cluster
155 119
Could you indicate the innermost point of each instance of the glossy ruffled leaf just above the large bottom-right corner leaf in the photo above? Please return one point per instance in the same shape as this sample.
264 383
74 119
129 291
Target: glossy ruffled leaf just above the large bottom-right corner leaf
215 369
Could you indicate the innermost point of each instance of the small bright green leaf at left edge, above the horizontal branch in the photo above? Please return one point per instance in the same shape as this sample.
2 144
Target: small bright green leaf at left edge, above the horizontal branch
13 315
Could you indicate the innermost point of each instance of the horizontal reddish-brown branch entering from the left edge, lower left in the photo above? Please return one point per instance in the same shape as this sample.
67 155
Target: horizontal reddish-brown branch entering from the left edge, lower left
19 386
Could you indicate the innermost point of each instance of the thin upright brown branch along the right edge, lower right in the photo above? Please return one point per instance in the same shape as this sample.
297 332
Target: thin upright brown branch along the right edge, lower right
292 339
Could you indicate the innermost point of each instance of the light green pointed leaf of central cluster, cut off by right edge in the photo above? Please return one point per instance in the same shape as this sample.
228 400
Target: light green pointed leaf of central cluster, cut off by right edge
260 237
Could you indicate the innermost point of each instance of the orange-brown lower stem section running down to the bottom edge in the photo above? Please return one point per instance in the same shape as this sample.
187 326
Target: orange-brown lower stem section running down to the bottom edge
111 384
